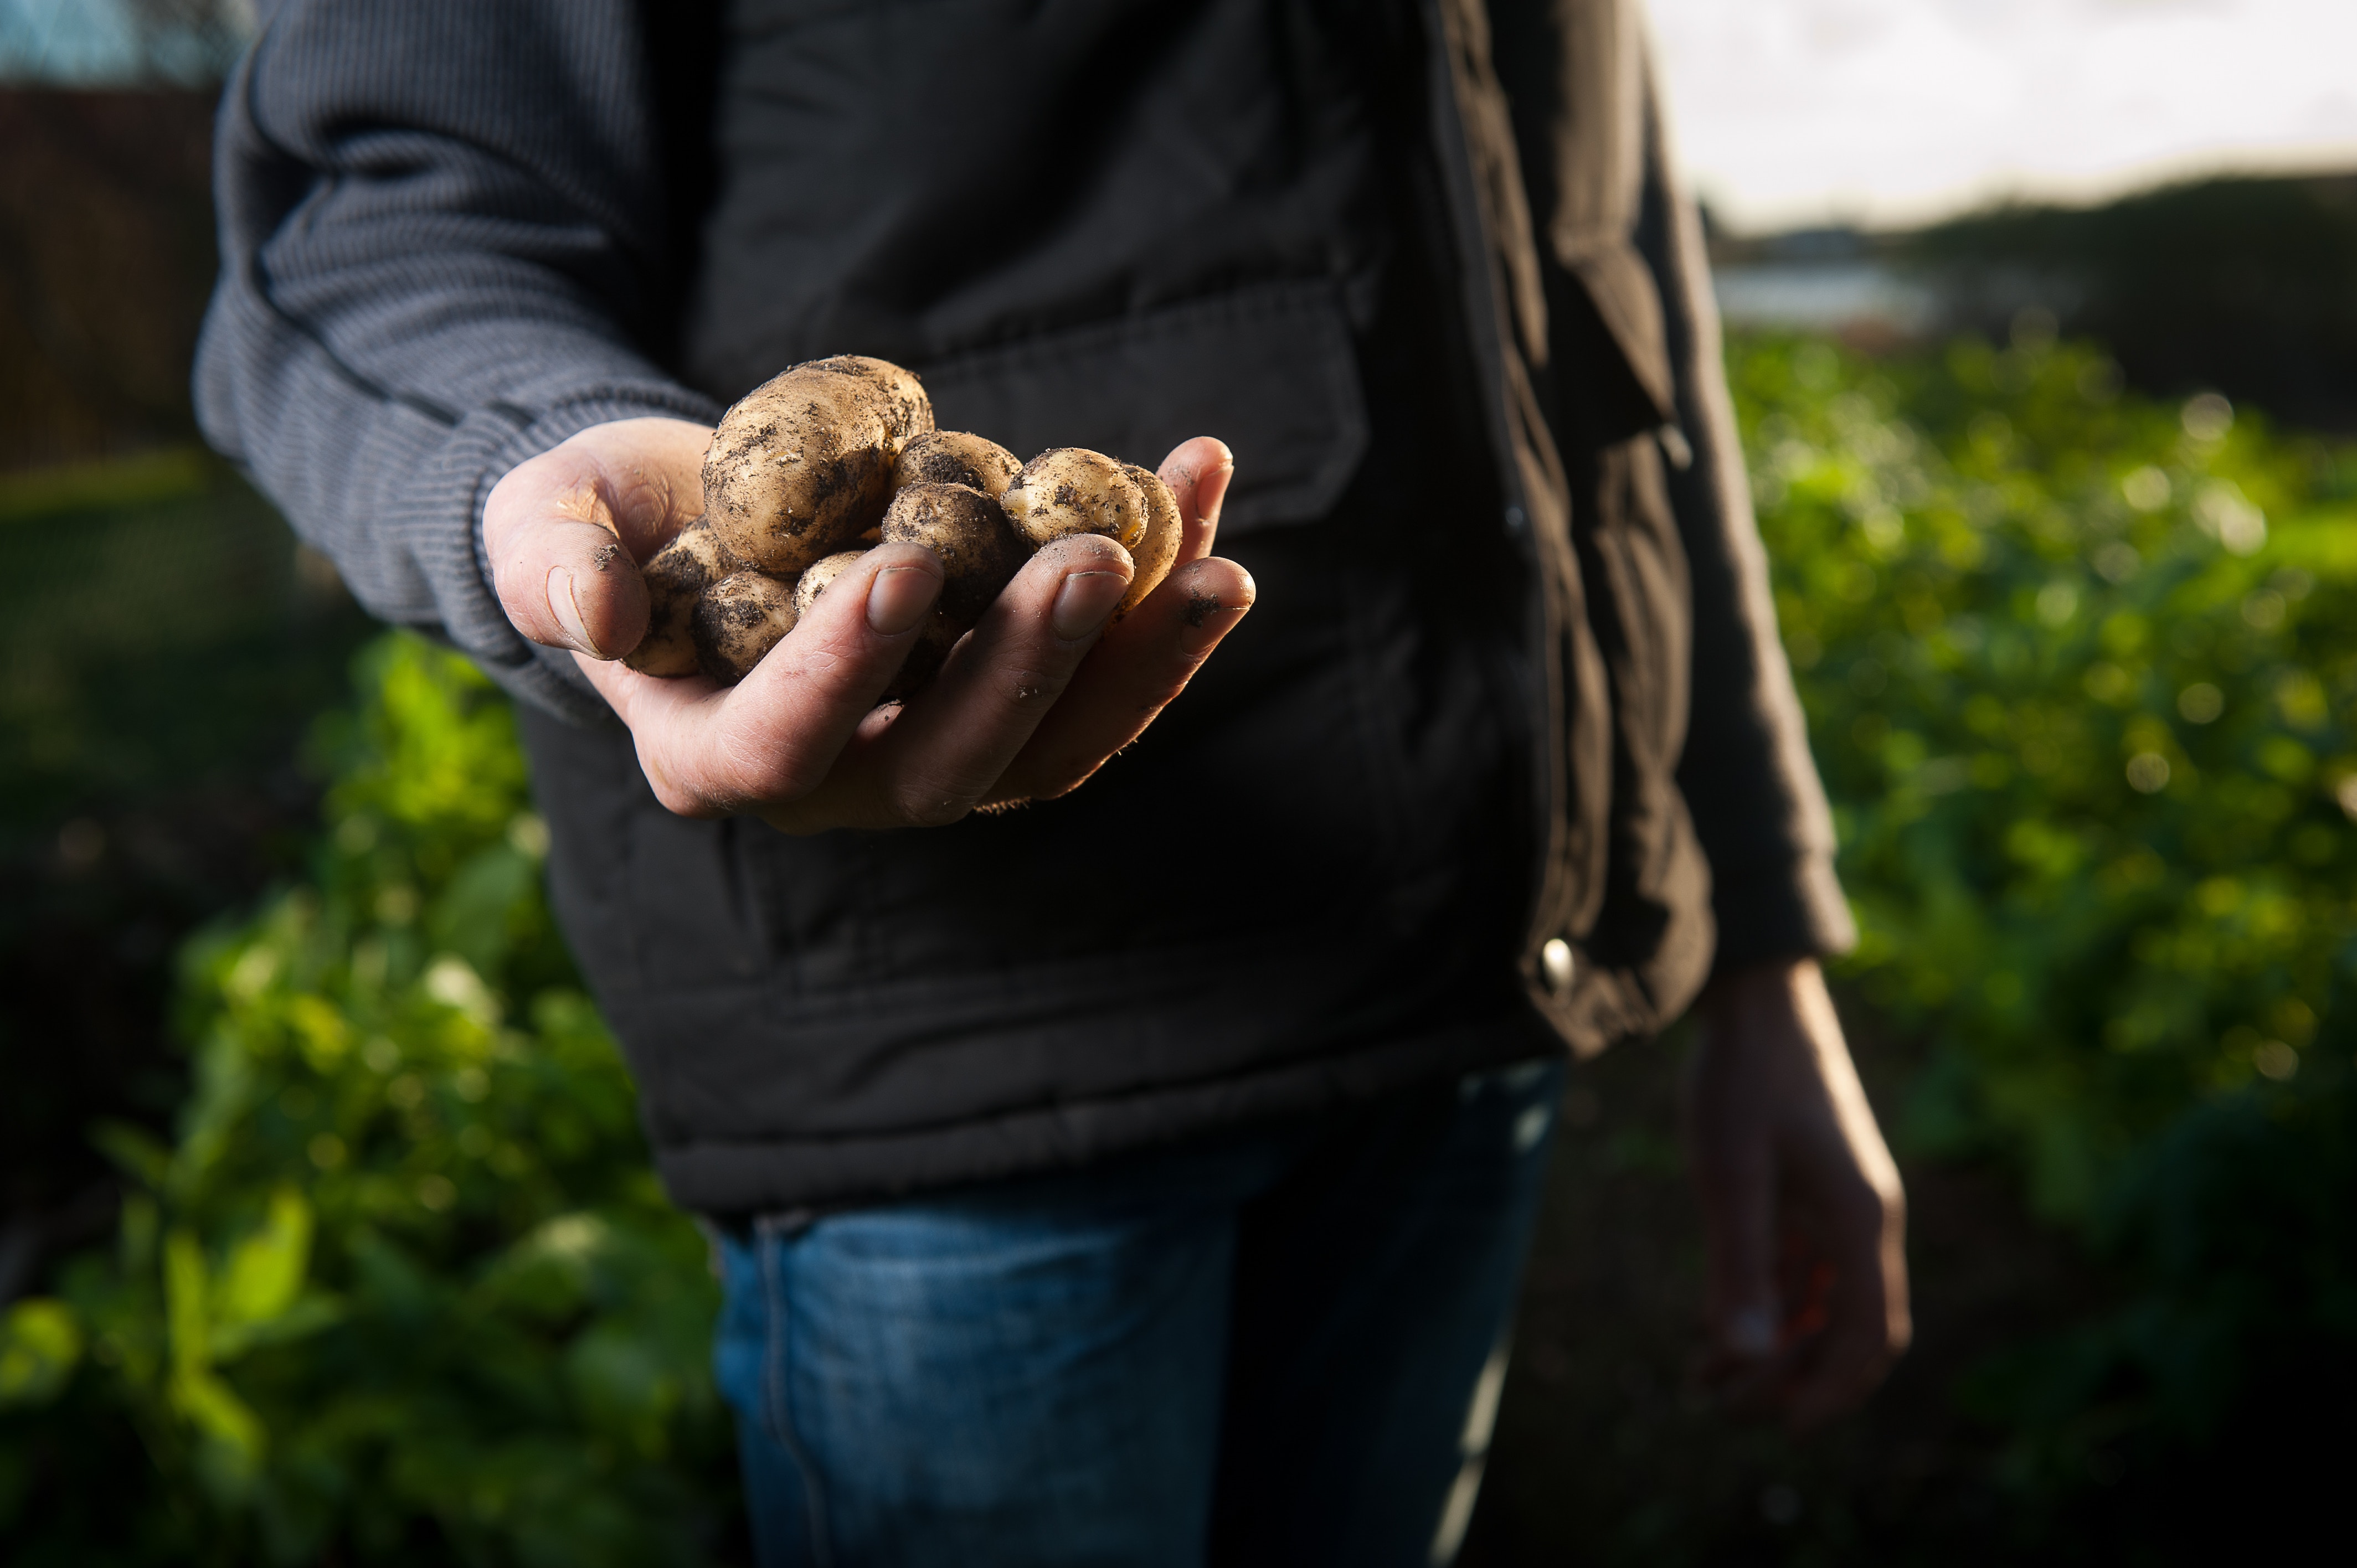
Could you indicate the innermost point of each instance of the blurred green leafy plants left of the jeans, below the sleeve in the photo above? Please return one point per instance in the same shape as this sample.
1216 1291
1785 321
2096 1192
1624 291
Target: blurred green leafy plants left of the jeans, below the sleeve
402 1289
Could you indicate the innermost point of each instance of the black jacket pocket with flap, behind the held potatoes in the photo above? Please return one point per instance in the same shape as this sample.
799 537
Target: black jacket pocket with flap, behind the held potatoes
1269 371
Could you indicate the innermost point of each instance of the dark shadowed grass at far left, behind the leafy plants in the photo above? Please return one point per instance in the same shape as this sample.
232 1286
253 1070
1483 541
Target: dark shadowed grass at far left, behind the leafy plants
164 650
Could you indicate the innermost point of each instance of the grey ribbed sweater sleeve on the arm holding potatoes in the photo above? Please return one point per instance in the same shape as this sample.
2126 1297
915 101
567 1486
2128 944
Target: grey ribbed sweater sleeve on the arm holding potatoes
442 246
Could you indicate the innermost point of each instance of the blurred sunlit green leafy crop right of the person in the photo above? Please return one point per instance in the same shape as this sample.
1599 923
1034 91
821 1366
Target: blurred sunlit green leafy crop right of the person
2082 676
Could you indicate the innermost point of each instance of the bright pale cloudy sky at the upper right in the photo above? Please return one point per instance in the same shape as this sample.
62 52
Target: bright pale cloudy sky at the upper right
1889 112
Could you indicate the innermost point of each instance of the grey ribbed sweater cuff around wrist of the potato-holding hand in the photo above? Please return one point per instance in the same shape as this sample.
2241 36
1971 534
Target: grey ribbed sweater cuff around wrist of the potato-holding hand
534 673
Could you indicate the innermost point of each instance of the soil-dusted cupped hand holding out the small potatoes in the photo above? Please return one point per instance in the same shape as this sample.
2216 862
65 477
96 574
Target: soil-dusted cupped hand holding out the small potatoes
1034 701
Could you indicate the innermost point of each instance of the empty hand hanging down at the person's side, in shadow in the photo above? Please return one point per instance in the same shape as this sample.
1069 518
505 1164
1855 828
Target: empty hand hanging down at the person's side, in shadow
1800 1197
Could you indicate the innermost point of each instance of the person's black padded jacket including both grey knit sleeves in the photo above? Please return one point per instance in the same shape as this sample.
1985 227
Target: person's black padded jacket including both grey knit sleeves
1500 763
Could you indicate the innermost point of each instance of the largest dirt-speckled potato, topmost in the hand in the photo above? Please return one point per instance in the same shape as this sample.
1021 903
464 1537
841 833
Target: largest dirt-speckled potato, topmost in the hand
805 461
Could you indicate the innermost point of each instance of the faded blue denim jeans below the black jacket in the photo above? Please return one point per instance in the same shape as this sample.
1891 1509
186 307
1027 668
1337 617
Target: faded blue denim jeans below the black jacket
1281 1348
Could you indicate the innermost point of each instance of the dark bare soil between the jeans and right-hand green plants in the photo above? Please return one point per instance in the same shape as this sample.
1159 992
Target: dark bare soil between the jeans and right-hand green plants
1606 1449
